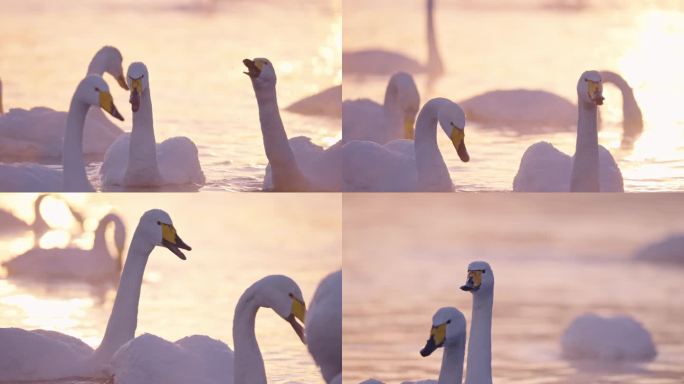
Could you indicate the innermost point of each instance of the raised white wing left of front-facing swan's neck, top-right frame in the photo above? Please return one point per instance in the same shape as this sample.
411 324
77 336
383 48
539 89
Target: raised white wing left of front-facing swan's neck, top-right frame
543 168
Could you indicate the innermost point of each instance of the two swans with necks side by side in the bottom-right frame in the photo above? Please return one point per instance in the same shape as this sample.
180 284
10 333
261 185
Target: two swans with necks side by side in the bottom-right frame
449 332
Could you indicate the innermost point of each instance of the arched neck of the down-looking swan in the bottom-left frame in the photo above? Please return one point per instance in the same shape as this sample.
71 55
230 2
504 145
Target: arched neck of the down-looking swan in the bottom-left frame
248 364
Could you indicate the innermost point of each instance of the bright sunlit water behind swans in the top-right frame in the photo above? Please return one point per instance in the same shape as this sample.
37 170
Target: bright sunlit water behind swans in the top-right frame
492 44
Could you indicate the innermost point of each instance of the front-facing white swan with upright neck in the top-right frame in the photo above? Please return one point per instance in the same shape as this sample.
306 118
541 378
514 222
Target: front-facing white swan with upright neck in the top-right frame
543 168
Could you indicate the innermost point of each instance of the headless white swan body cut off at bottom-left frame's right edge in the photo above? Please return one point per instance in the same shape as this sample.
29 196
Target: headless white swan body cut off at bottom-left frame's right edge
324 326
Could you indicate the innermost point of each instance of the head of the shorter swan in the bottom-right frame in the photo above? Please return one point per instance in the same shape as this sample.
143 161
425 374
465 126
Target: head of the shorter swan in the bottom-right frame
448 329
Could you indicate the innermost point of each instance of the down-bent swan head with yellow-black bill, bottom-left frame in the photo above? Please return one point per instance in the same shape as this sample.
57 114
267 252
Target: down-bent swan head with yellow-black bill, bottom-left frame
283 295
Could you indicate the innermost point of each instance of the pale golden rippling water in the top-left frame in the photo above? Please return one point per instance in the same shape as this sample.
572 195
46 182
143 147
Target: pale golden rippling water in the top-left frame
194 51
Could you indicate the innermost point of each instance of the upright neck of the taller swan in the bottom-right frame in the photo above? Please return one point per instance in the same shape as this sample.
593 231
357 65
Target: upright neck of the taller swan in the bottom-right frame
480 345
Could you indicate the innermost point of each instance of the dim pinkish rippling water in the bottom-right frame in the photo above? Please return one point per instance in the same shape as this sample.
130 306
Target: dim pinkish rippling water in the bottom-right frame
406 257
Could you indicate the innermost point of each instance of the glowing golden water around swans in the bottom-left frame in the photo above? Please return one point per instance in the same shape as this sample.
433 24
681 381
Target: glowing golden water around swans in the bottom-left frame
235 241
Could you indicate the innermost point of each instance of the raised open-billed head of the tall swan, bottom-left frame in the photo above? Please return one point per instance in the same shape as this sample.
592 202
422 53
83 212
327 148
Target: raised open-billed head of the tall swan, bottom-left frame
157 228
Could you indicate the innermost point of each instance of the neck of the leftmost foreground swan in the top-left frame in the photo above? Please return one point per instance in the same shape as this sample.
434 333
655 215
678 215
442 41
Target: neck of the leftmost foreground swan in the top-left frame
74 175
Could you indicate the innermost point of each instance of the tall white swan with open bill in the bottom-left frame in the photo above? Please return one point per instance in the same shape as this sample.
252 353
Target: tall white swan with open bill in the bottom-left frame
44 355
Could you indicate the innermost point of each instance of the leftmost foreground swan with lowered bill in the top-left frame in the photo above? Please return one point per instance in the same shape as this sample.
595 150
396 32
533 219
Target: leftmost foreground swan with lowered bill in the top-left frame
91 91
